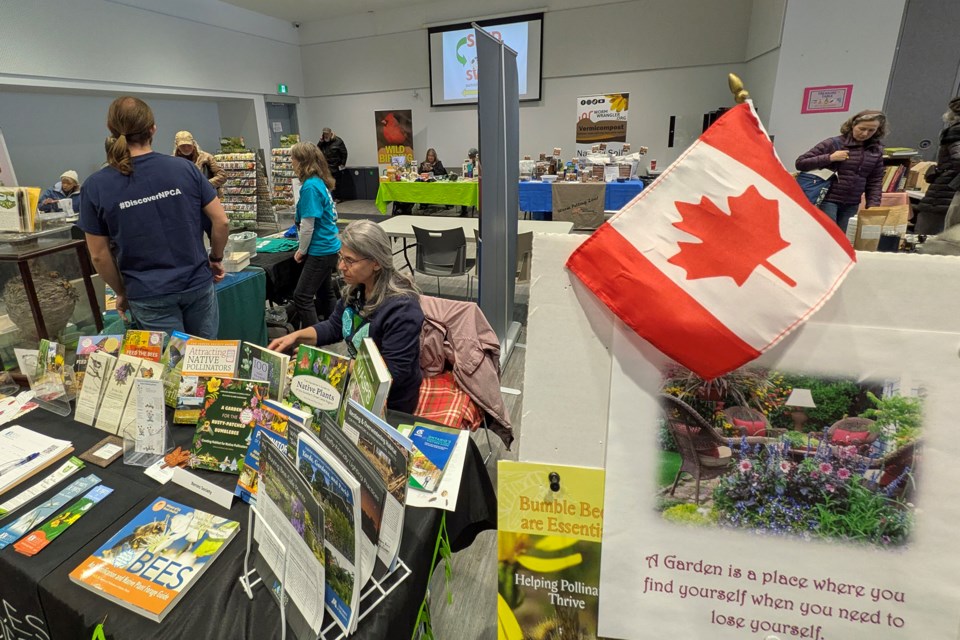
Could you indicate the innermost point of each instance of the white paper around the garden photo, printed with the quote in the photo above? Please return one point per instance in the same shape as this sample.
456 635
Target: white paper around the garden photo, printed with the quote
894 593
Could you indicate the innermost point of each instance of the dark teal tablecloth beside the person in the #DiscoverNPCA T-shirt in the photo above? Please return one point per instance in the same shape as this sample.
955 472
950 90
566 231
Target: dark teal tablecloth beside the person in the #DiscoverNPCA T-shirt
242 300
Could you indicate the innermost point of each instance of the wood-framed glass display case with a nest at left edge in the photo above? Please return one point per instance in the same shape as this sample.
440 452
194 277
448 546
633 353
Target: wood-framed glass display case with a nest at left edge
46 290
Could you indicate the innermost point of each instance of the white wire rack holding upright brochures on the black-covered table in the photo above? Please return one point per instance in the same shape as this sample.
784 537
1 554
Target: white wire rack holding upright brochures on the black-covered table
373 593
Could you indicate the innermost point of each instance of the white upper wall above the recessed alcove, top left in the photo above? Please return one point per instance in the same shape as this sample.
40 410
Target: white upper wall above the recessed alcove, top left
99 41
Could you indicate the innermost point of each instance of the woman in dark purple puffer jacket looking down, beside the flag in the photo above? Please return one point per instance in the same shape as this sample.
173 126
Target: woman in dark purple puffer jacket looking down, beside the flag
857 157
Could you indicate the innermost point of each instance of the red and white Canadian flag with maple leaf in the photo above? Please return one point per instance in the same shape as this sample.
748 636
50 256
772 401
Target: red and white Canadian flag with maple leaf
721 257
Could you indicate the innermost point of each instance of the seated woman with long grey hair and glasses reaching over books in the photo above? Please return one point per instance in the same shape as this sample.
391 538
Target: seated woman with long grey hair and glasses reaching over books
378 301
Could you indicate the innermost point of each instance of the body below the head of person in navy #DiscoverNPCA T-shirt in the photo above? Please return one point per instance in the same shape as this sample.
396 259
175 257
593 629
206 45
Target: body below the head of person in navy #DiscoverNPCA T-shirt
154 217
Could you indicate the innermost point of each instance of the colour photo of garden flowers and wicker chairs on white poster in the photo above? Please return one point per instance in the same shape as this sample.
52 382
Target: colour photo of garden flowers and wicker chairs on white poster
781 454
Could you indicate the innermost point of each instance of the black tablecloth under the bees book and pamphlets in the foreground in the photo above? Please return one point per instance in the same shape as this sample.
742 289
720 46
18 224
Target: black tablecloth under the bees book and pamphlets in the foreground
38 593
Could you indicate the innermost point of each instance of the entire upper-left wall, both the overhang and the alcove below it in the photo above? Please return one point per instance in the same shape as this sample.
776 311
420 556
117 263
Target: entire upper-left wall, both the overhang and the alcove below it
63 63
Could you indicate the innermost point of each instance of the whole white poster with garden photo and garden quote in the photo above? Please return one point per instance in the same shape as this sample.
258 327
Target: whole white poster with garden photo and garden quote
839 530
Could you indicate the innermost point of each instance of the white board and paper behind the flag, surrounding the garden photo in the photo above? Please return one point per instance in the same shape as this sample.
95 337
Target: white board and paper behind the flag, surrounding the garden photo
892 319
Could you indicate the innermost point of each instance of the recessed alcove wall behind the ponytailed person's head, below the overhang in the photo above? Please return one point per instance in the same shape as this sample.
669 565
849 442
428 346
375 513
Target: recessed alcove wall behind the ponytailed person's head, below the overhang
48 133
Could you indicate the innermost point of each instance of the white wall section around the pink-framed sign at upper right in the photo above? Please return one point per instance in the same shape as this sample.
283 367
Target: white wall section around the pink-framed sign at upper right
831 42
